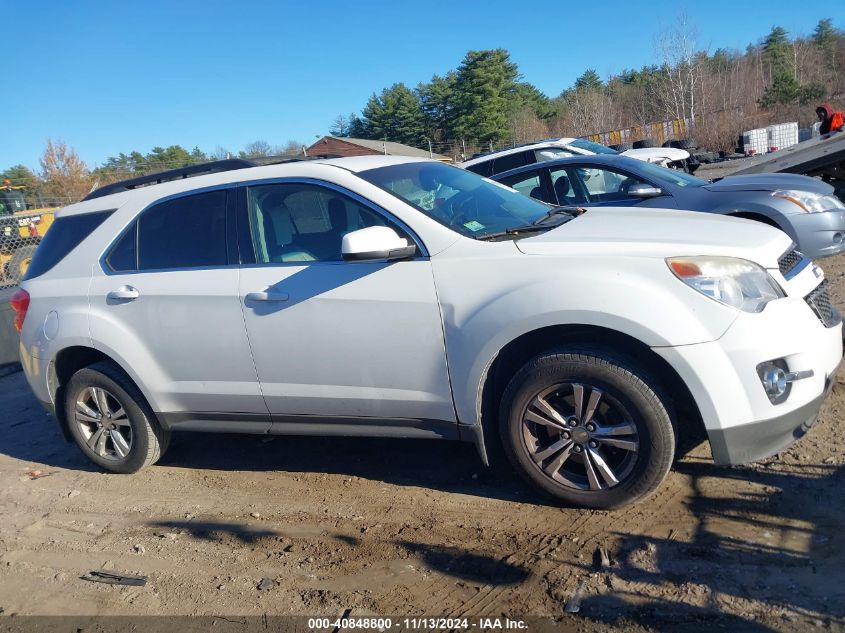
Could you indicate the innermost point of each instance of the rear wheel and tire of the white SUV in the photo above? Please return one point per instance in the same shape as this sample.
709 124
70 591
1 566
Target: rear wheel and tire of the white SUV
141 441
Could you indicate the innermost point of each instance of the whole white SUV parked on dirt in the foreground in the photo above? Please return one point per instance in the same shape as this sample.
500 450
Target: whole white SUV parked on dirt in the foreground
389 296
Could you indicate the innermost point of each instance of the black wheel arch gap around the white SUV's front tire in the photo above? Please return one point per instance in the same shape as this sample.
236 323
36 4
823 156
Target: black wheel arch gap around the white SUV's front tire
520 350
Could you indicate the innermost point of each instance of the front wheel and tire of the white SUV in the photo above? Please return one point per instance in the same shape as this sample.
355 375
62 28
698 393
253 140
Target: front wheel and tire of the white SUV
643 436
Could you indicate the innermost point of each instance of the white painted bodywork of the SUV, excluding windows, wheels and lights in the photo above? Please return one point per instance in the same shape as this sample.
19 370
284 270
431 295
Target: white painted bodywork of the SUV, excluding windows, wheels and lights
415 339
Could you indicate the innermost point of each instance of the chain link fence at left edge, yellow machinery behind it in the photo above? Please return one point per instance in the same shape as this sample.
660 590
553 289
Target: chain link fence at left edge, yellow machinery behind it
20 234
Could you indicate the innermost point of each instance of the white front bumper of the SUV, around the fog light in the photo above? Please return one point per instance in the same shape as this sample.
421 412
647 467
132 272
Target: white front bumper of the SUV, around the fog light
741 422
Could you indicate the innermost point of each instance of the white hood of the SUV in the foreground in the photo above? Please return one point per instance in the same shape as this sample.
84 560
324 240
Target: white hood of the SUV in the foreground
660 233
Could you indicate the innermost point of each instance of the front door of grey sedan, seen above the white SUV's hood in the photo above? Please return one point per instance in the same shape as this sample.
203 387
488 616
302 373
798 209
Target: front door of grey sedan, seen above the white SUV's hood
604 186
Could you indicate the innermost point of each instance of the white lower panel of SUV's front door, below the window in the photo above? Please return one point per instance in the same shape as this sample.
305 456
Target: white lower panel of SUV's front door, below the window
360 339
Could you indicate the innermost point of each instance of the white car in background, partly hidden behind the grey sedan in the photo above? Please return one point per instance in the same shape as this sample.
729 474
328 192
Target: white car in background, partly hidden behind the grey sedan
549 149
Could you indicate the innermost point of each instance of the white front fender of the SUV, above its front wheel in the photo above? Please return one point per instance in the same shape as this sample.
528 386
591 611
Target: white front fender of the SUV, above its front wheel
644 302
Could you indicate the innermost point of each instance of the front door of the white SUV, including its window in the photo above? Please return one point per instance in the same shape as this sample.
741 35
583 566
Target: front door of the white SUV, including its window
337 341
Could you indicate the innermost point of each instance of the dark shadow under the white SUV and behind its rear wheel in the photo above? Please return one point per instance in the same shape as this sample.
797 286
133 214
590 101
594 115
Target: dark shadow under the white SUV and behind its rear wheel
28 433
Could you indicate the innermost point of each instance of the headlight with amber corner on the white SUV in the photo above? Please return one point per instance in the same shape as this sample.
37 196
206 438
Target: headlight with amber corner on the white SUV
735 282
